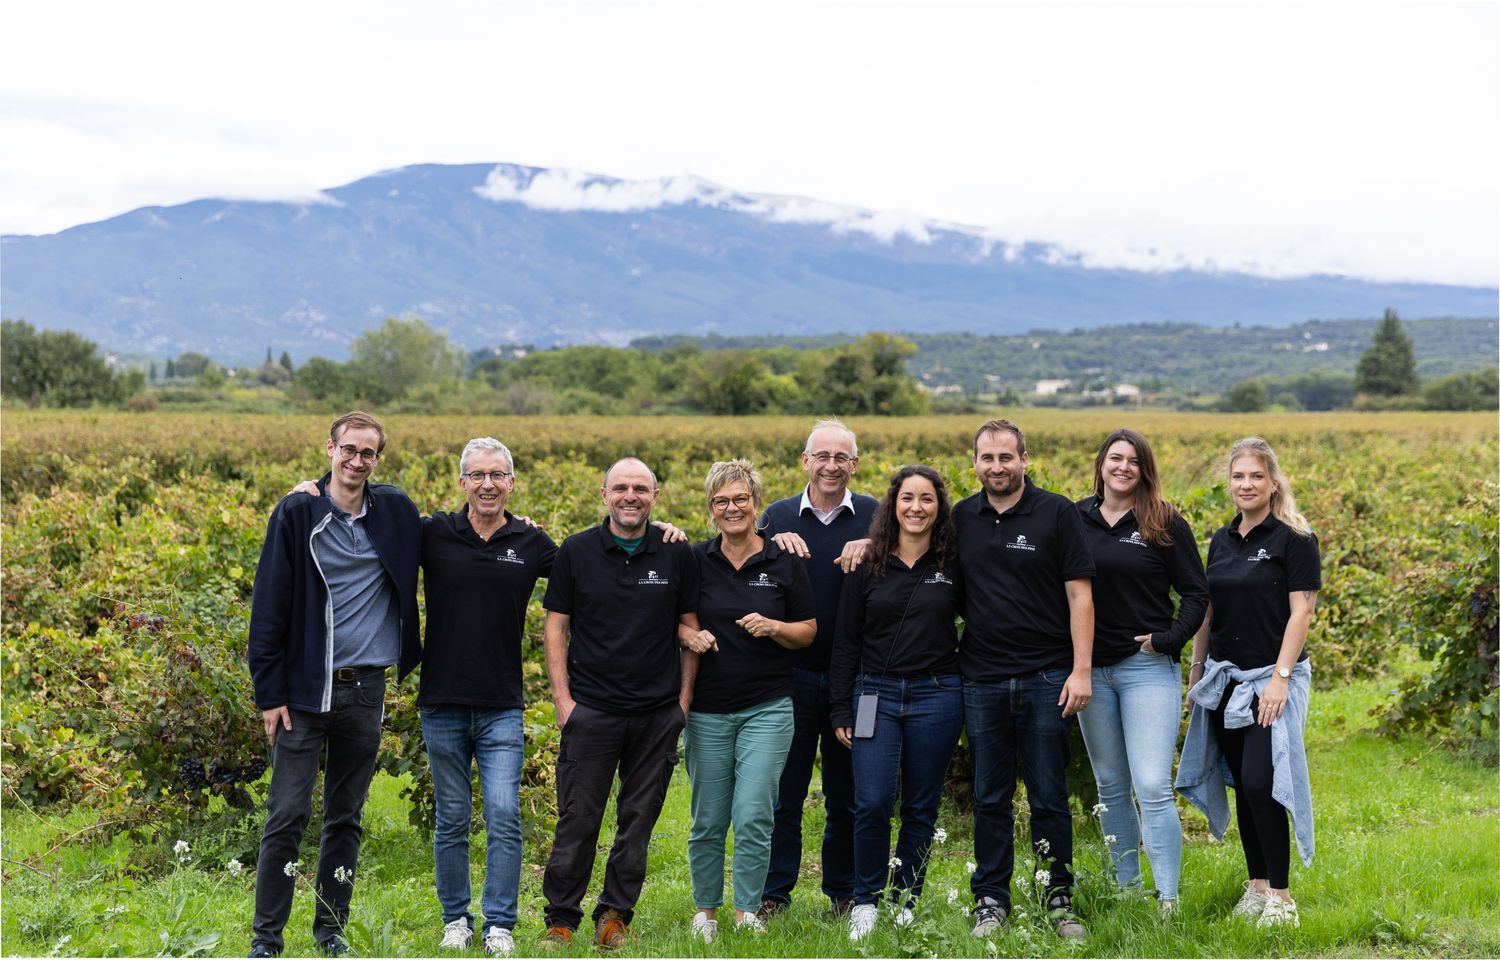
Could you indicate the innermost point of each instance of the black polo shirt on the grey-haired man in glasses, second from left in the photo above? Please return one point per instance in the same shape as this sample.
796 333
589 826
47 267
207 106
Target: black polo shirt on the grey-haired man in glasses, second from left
478 593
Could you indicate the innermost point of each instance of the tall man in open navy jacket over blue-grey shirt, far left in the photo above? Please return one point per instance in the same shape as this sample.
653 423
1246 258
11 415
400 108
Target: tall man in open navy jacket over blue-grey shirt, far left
335 605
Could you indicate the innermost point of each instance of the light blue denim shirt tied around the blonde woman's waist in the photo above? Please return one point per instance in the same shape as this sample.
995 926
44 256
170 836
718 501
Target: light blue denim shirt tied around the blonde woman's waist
1291 784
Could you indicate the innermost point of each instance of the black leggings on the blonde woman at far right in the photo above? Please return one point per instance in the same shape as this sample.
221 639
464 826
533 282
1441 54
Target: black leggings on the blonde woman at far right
1262 821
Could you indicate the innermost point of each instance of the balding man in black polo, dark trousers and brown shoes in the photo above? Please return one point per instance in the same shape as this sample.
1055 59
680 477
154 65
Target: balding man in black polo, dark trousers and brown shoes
622 694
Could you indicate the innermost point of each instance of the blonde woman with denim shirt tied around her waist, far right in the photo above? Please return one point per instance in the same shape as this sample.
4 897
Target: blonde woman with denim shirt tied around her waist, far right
1252 682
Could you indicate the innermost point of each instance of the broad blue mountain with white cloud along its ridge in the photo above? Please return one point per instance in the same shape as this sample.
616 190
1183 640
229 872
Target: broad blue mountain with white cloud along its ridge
505 254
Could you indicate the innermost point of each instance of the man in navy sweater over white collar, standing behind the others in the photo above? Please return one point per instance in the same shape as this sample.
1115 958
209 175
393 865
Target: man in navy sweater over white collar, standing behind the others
827 517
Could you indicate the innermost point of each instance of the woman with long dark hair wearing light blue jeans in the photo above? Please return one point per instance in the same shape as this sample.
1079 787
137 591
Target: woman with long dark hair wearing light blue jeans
1144 551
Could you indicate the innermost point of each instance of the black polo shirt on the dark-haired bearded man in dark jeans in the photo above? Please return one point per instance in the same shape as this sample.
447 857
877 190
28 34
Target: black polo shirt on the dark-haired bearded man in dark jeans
1015 568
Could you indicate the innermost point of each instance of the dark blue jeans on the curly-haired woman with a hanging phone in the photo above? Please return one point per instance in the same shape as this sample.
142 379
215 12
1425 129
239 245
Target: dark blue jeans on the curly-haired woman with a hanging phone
917 727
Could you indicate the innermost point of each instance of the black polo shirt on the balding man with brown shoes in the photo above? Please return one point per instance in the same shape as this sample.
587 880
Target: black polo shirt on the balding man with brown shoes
623 655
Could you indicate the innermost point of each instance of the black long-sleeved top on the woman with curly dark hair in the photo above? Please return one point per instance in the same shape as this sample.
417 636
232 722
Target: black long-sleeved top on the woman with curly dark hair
899 625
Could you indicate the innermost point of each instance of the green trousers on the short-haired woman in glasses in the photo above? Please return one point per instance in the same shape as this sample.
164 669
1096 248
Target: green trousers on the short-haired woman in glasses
734 763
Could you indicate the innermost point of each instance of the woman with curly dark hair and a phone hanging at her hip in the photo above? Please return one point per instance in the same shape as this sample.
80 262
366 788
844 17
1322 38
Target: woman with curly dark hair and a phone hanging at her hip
898 701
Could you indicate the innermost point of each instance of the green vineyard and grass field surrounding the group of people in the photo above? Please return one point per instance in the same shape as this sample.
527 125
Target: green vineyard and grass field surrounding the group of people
130 550
